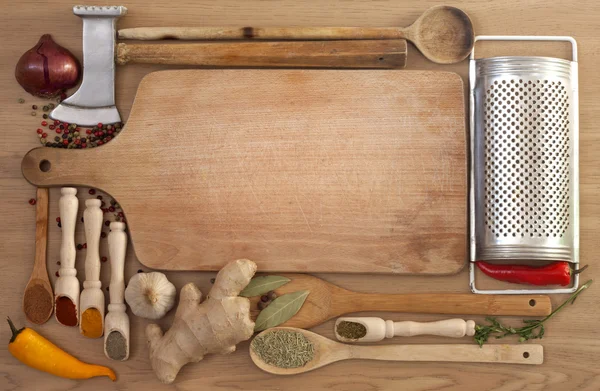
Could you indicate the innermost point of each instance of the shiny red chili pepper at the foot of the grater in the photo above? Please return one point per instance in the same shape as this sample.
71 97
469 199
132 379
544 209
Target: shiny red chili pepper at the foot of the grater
556 273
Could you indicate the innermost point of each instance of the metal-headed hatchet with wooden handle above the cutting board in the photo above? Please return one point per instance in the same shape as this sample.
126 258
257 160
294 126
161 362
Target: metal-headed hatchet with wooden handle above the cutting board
94 101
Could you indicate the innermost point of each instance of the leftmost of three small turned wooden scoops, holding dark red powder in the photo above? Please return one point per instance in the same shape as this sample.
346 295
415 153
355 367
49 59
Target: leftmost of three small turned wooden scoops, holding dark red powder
67 284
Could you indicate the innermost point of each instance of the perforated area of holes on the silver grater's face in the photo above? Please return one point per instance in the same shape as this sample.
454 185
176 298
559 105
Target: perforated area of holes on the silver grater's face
527 158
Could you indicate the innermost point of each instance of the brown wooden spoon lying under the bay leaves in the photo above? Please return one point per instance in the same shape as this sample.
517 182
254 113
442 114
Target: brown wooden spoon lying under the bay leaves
326 301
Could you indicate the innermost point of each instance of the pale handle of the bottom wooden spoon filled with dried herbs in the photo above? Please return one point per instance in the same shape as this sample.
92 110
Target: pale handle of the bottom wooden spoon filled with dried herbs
502 354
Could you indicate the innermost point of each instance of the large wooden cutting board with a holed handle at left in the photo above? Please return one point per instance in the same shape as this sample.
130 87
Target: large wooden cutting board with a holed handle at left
298 170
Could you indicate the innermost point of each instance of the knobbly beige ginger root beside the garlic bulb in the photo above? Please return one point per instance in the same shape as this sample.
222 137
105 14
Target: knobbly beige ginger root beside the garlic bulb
215 326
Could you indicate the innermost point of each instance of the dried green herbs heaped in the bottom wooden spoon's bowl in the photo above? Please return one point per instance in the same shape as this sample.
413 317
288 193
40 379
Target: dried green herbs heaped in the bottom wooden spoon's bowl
283 348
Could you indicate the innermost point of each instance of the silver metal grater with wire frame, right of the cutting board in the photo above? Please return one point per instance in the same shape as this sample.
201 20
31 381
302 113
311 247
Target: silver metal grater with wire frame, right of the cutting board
524 184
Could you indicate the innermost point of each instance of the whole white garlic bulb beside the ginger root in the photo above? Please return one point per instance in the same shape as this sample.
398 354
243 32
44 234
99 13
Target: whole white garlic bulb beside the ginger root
150 295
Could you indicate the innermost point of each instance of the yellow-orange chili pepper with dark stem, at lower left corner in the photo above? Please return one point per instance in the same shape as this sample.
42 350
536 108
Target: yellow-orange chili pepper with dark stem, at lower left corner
37 352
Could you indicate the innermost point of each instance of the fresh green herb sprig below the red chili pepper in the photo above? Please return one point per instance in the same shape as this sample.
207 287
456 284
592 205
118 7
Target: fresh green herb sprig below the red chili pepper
533 328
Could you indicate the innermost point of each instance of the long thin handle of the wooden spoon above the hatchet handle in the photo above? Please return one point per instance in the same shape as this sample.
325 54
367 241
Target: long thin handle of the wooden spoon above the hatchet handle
271 33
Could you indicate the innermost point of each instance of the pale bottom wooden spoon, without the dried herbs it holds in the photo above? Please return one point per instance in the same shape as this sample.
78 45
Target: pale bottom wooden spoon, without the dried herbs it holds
327 351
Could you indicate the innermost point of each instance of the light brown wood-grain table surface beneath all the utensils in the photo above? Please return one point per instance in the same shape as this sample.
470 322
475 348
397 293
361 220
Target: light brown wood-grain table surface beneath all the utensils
572 340
